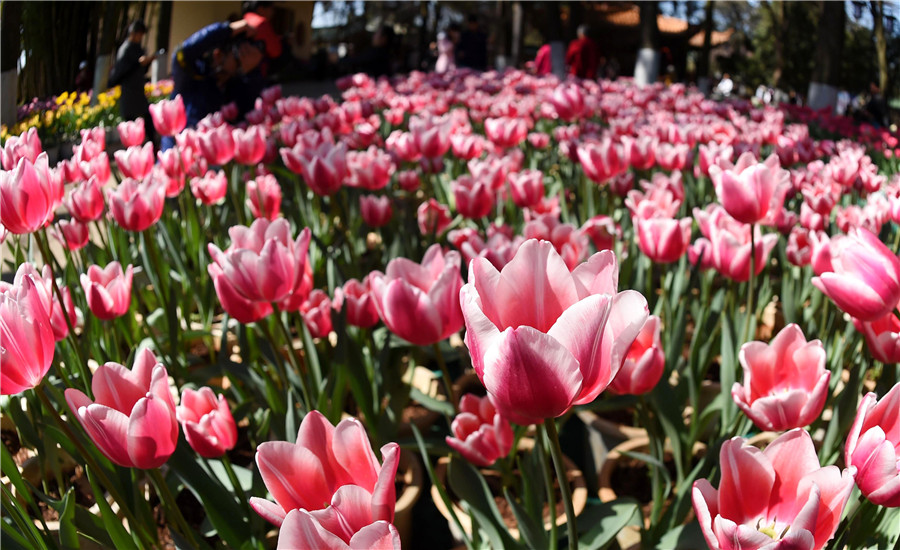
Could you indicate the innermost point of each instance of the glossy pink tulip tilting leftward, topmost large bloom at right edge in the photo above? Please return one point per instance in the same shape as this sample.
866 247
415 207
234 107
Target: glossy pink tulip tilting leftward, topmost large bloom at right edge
864 276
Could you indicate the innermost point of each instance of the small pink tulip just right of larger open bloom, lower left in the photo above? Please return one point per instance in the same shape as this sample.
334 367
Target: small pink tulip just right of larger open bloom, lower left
207 422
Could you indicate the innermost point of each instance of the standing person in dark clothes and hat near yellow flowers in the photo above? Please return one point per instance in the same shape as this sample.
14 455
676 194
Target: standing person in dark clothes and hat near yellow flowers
129 73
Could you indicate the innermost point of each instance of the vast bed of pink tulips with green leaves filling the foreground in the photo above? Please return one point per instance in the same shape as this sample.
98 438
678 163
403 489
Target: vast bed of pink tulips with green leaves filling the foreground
226 337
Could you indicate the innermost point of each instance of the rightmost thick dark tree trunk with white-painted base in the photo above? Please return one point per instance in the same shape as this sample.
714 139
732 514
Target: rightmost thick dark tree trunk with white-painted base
830 44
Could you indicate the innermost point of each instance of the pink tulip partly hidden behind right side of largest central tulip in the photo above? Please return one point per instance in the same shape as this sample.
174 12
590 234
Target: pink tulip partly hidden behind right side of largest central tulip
644 364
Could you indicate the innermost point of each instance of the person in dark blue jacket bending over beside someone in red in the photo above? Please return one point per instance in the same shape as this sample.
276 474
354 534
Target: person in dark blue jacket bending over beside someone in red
207 67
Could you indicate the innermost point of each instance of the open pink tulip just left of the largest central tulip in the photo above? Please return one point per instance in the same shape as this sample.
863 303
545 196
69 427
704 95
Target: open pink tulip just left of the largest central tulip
420 302
